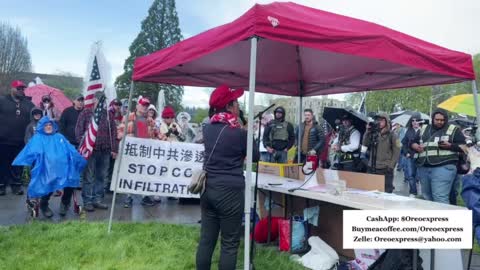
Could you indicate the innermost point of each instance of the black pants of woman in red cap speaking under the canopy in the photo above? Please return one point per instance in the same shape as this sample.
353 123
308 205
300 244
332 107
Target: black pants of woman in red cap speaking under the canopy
222 210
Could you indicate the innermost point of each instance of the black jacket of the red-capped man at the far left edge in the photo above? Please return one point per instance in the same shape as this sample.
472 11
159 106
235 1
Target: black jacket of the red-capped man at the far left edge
13 126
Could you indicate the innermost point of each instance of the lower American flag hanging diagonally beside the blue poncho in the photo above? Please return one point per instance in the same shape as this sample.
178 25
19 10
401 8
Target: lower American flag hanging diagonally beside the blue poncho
88 141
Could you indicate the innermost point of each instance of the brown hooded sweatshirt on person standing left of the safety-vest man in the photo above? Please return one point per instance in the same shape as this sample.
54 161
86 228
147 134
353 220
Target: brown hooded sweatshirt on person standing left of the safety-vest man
388 146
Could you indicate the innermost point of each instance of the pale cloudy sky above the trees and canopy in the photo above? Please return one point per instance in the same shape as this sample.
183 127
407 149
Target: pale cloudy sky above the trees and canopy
60 33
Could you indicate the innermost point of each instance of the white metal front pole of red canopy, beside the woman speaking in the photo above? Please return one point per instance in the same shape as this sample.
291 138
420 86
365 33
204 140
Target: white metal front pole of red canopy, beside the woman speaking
248 178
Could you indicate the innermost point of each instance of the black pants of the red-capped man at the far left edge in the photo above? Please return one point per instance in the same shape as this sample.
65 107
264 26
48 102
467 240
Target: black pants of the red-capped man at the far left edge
10 174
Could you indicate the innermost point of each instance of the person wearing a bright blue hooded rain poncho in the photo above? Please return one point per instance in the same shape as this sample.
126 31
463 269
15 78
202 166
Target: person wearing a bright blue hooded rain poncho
56 165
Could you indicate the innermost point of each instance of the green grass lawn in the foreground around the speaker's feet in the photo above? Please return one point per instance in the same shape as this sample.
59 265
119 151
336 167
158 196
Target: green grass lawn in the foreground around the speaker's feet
82 245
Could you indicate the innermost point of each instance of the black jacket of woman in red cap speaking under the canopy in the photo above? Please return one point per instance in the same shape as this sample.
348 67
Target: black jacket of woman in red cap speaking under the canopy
225 167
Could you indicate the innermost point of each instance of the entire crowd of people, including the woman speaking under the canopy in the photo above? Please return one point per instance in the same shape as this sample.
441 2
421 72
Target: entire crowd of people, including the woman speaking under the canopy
430 153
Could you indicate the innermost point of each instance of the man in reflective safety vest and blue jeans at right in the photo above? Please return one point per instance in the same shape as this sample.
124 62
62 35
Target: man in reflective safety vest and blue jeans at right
437 147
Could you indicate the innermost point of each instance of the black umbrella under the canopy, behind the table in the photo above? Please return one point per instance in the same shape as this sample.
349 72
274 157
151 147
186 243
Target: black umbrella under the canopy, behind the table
333 116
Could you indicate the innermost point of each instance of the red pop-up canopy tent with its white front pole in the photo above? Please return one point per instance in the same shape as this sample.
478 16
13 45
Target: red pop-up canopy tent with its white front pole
302 52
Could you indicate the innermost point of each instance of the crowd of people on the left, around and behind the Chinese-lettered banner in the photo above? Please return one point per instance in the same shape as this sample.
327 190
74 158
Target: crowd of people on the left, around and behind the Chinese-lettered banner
23 120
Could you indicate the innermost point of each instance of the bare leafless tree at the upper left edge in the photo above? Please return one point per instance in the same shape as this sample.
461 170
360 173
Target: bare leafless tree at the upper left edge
14 54
